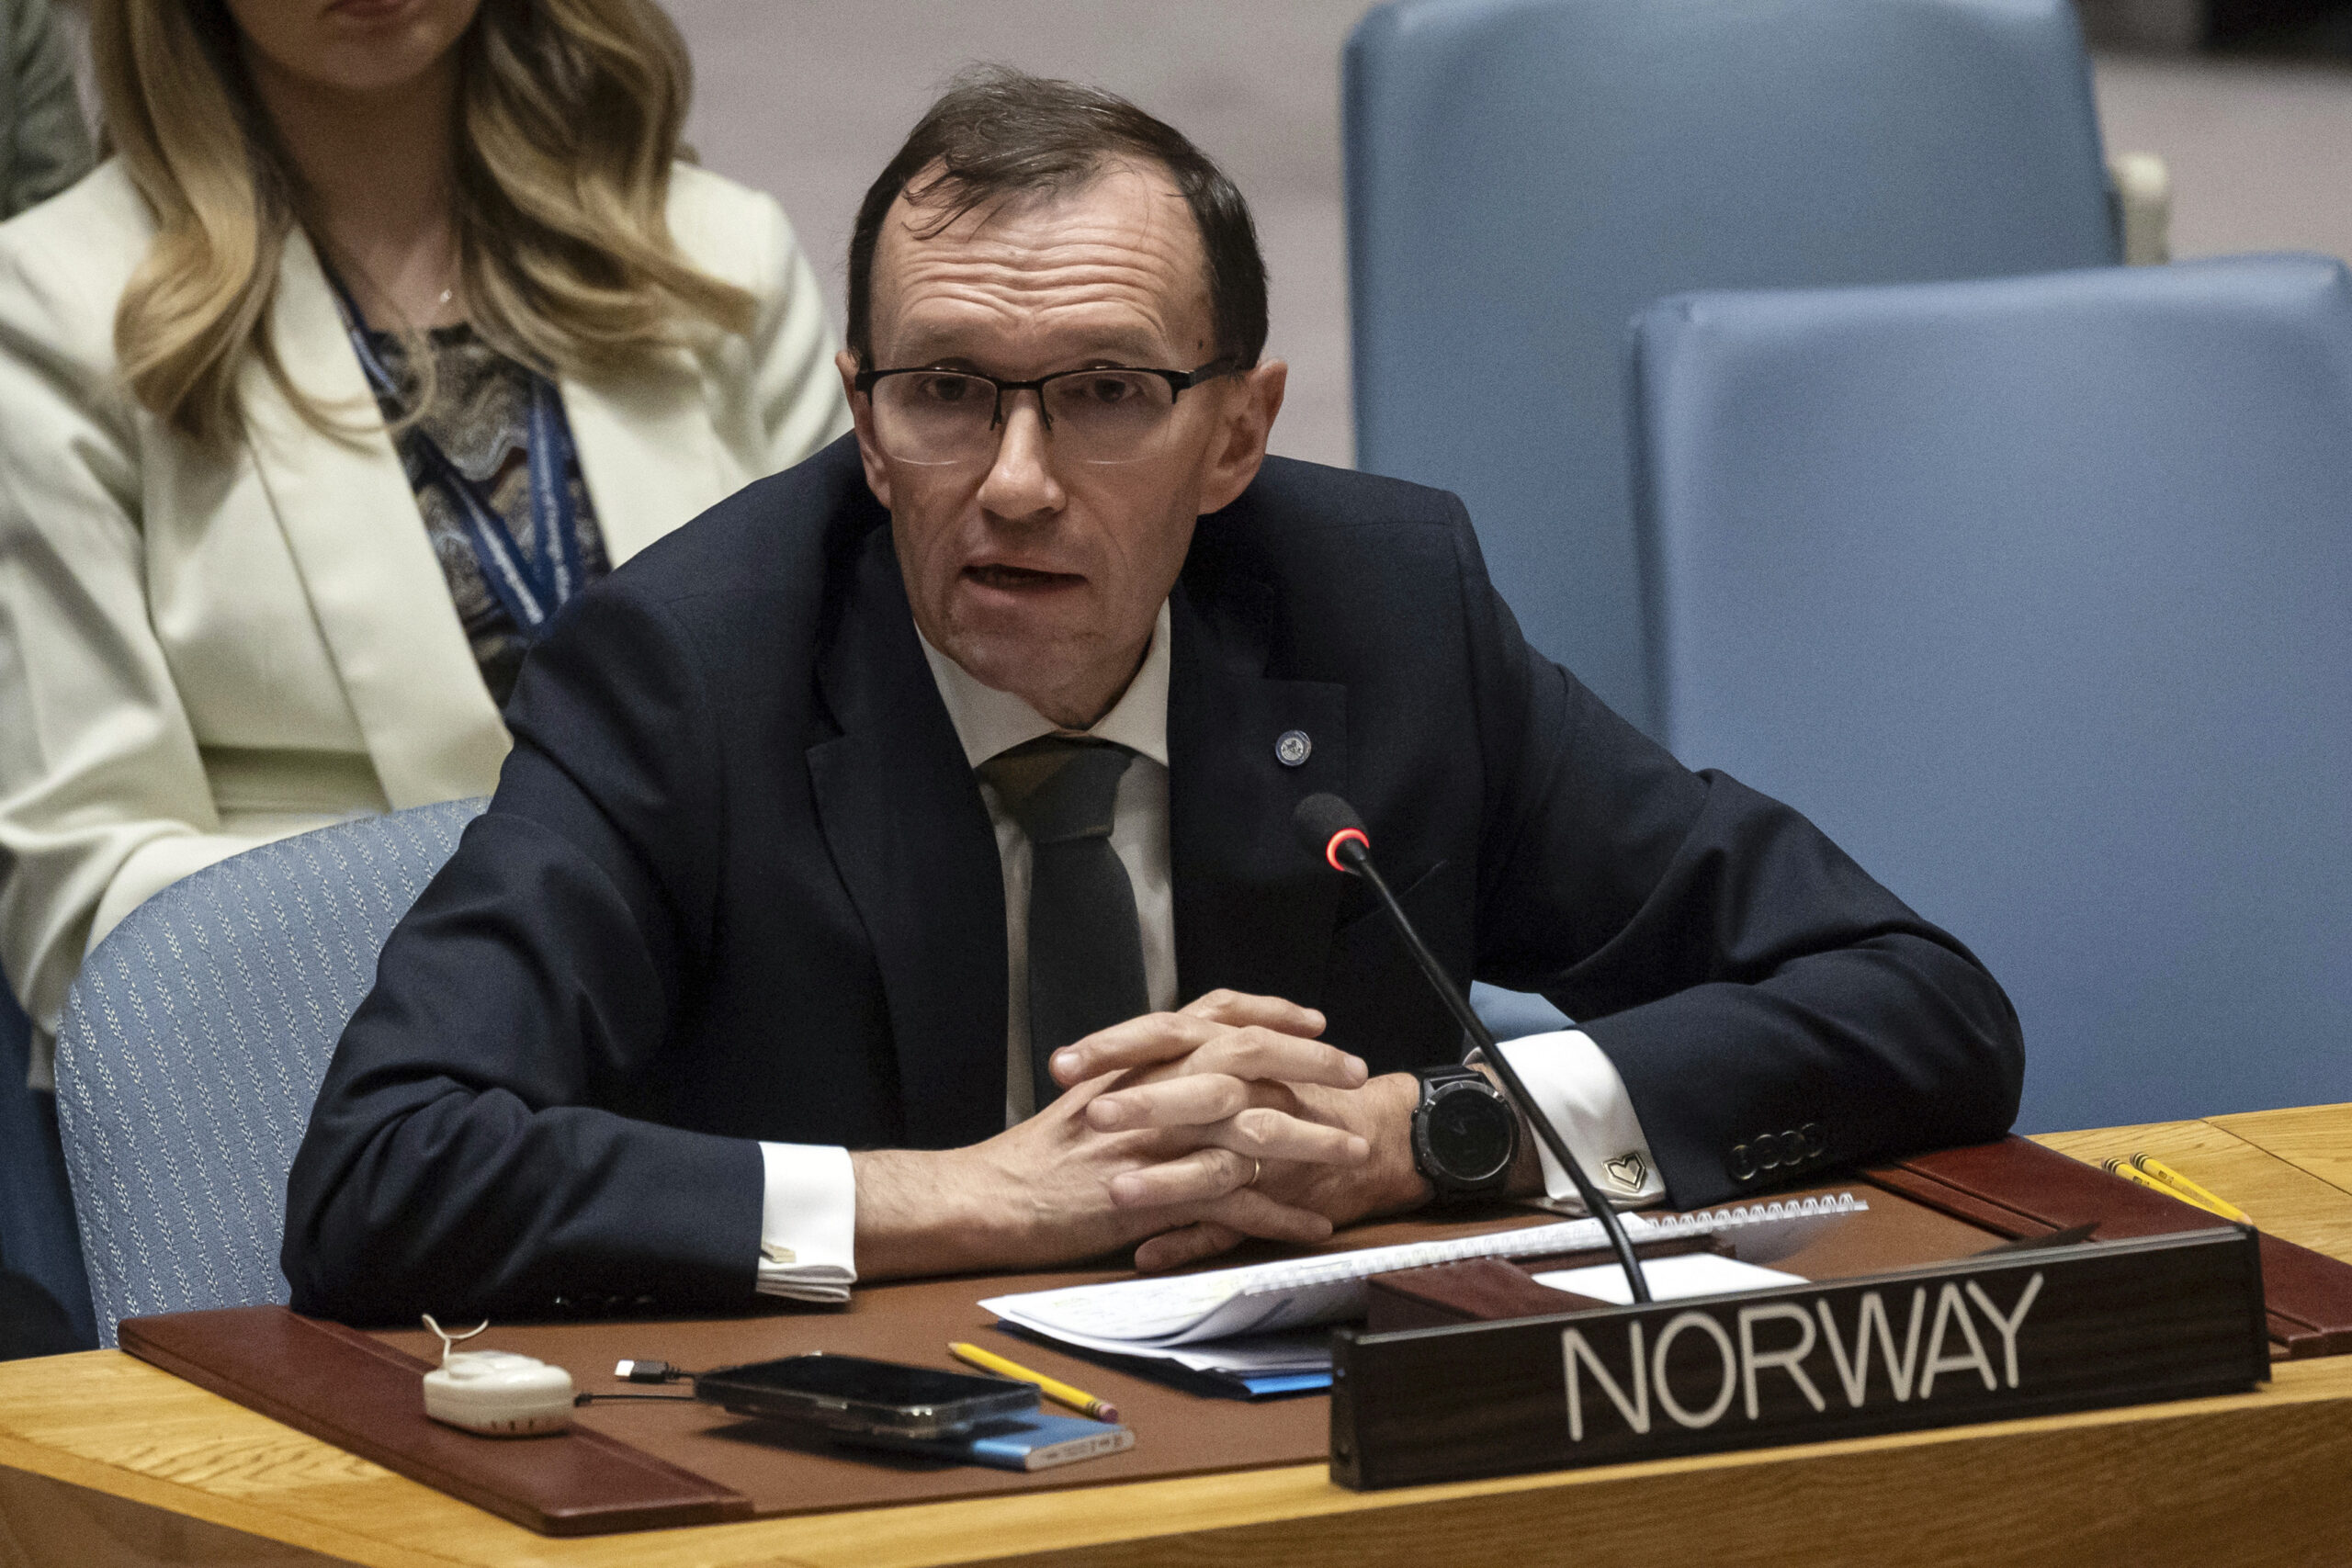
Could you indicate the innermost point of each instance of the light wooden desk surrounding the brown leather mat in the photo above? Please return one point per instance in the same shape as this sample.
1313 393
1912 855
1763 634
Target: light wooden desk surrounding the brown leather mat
109 1461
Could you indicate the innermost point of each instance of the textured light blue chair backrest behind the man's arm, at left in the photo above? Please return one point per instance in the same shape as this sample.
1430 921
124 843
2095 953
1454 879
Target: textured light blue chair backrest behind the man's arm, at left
194 1045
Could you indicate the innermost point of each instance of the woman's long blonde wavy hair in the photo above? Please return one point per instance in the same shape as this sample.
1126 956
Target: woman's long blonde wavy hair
570 119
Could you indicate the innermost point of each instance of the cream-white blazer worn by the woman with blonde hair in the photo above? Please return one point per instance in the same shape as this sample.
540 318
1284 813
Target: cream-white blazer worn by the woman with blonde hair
208 650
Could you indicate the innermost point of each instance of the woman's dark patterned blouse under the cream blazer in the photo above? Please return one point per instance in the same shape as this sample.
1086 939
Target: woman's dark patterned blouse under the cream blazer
481 417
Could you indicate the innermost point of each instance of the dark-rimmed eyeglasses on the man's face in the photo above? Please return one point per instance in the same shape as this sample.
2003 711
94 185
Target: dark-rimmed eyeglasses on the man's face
1109 415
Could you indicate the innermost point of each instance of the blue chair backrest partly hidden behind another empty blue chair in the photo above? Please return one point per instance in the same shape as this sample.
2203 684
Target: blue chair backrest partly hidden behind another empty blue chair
1525 175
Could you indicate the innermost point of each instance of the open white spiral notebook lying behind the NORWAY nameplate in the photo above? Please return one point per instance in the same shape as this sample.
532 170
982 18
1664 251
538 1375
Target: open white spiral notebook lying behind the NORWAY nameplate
1259 1320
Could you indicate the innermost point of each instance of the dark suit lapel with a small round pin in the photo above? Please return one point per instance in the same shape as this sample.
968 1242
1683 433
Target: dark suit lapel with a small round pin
1255 909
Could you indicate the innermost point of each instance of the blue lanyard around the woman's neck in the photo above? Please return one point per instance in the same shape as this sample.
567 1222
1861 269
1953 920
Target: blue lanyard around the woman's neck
528 589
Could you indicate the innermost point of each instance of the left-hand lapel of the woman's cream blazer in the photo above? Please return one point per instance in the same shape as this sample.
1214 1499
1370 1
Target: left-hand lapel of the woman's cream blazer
361 549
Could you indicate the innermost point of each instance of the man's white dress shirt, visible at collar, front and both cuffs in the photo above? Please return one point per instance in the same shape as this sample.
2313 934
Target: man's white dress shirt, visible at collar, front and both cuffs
808 1224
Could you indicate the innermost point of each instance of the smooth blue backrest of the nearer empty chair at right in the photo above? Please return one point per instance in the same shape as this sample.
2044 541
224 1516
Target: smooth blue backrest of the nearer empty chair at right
2038 598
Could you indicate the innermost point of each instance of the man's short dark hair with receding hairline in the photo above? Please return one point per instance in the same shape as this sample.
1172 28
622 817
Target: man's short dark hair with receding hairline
998 135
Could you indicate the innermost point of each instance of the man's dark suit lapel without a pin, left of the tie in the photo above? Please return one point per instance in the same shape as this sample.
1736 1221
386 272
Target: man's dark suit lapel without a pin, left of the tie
914 843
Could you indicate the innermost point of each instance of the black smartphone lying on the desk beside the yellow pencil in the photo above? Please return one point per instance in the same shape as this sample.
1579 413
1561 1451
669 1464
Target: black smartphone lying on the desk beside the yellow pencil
860 1395
